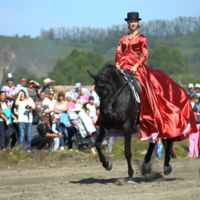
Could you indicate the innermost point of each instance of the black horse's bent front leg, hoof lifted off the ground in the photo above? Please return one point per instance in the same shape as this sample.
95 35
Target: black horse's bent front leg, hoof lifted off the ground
98 144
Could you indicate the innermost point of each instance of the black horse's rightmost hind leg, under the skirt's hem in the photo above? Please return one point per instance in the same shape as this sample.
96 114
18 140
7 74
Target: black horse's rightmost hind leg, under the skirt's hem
167 166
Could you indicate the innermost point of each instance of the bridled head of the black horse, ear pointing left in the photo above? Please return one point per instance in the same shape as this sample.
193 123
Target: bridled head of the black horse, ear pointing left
106 81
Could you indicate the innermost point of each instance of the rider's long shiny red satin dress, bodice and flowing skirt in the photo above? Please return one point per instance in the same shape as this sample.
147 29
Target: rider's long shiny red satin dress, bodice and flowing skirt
165 109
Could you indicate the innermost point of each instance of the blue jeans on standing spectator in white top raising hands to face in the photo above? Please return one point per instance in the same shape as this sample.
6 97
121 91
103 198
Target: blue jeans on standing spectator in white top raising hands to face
25 129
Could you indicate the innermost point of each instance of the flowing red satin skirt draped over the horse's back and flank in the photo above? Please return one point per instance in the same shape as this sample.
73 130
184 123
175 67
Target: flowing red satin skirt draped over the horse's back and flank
165 110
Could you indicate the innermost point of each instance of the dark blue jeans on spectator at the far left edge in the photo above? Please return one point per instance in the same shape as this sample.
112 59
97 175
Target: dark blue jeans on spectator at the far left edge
4 135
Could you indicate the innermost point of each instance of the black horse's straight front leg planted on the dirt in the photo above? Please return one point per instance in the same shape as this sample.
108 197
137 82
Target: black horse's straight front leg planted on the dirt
127 151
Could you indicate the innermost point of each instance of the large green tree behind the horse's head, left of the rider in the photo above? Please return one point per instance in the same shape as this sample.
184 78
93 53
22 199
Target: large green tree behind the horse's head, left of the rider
74 67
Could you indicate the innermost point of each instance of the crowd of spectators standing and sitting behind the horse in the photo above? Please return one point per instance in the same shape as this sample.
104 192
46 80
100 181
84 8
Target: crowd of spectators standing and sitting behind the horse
33 116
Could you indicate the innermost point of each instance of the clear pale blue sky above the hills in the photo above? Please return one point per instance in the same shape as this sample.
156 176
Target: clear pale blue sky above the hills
28 17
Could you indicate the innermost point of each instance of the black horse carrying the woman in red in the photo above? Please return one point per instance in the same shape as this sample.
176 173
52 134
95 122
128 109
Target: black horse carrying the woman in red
118 107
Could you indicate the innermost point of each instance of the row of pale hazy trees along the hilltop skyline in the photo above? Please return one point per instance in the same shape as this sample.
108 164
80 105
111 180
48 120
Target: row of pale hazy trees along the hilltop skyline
177 27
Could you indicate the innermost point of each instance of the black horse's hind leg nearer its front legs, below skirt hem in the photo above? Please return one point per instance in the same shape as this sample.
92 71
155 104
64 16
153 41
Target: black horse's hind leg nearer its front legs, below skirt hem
146 167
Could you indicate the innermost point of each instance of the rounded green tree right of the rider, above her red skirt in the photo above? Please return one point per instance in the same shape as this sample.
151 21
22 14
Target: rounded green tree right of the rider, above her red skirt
169 61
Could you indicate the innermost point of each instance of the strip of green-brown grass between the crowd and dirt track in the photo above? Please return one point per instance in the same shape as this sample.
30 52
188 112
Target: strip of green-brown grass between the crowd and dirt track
46 157
